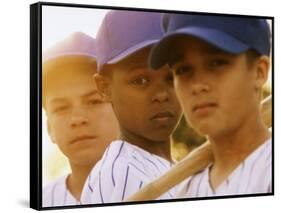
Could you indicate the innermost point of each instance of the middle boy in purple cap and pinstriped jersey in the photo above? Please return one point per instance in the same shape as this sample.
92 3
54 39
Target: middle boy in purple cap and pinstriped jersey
144 103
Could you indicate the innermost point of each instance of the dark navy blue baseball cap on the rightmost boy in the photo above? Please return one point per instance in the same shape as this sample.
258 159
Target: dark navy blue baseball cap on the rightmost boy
228 33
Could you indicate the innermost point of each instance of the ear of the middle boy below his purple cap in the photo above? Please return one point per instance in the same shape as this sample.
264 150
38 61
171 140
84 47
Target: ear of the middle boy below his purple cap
103 85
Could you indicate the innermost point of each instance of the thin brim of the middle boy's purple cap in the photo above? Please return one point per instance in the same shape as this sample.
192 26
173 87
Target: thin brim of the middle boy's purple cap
132 50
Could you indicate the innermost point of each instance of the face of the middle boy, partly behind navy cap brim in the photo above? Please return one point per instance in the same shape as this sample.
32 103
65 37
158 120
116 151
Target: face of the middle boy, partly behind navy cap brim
144 101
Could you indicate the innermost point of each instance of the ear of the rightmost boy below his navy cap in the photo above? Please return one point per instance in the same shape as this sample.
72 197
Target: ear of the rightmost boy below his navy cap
262 70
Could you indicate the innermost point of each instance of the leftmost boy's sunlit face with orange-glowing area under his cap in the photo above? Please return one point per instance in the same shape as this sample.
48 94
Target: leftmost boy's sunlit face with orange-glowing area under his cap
78 121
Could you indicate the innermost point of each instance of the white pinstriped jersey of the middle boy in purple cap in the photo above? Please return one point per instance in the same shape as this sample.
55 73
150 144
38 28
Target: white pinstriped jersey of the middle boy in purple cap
123 170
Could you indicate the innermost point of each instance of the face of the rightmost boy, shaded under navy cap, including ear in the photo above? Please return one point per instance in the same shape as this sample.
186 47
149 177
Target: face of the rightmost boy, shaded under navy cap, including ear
218 91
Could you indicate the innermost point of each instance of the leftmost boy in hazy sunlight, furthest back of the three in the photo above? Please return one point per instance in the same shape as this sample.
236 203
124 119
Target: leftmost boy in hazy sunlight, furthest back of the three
79 122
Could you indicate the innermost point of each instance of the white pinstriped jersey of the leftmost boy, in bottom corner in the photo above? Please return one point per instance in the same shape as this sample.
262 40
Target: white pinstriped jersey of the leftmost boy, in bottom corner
57 194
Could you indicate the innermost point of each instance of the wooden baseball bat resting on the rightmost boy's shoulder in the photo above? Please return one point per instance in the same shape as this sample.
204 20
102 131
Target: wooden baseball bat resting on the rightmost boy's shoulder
194 162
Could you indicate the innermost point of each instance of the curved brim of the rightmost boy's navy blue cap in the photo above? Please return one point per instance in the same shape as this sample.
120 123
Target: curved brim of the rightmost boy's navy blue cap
162 51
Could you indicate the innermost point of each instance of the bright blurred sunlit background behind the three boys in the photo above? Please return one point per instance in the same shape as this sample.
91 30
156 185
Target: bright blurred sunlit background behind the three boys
57 24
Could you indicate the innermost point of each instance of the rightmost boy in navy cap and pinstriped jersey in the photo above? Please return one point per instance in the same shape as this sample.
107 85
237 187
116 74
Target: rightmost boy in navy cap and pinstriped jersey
220 65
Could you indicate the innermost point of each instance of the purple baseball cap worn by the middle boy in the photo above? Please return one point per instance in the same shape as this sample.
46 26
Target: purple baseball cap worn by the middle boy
123 33
